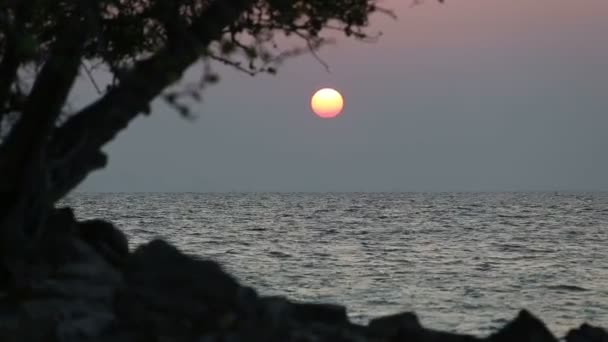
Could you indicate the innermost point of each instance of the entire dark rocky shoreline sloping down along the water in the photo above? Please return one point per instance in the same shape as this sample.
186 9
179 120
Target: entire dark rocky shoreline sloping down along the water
85 285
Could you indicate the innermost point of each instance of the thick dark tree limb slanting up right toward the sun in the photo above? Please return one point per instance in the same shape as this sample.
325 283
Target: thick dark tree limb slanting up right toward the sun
100 122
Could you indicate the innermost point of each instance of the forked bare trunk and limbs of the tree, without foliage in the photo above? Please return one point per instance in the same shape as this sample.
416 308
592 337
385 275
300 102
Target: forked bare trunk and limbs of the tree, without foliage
41 162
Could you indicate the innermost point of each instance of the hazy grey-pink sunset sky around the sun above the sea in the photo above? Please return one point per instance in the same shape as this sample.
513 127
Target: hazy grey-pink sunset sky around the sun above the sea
471 95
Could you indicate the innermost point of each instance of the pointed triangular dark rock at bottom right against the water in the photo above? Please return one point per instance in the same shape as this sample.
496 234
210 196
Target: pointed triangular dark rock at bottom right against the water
525 327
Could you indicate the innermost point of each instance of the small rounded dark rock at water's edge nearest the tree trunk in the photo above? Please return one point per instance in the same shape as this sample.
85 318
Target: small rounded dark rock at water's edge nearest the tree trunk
108 240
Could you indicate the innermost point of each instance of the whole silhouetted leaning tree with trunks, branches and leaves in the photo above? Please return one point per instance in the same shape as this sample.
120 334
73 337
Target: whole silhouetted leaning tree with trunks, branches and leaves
46 150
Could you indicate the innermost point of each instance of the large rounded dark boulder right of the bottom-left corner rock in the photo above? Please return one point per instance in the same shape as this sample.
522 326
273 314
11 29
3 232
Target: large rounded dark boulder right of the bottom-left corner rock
169 292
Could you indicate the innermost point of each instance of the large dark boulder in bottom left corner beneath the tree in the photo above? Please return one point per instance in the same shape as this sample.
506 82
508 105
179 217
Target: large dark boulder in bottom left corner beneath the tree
69 298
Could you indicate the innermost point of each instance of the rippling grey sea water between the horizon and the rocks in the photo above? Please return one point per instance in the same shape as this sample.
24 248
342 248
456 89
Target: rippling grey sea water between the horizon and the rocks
464 262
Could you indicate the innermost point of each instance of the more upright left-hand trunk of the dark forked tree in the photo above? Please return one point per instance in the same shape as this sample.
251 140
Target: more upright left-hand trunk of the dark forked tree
24 190
